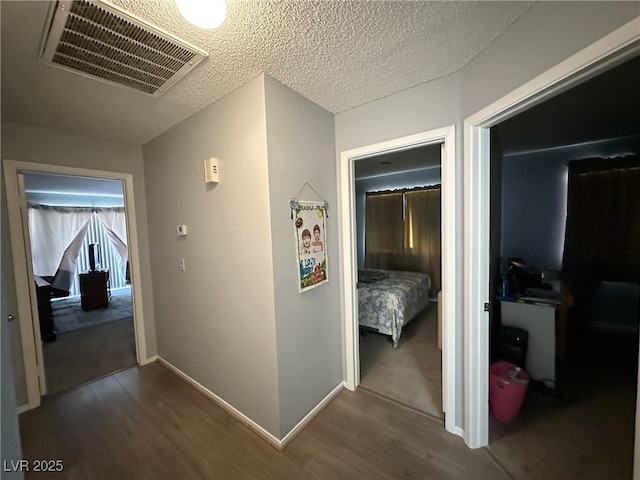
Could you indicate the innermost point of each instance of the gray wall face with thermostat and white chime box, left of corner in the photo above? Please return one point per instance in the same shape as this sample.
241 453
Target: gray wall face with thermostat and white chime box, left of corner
216 320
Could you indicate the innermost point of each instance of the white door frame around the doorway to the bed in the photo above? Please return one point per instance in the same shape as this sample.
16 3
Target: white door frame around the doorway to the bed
348 257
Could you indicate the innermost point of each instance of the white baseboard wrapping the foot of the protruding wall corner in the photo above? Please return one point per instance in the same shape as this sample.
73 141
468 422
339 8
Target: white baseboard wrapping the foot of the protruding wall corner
279 444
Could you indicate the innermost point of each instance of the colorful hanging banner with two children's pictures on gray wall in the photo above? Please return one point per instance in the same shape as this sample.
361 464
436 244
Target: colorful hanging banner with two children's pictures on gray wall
311 243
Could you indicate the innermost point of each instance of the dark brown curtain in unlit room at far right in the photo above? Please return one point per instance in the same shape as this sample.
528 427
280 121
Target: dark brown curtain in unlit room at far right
602 238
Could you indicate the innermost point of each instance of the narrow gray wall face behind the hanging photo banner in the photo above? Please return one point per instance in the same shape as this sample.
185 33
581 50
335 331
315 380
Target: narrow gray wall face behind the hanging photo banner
300 145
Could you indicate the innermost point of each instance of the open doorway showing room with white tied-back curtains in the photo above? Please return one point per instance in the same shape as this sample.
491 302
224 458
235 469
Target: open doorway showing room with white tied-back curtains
84 301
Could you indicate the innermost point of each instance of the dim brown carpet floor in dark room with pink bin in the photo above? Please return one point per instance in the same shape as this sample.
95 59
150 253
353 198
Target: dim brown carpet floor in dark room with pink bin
582 429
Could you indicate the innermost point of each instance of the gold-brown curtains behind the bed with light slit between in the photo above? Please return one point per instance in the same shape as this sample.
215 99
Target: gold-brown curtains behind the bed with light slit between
403 232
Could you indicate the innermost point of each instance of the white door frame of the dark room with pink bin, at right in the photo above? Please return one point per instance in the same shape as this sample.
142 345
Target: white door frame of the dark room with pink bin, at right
614 48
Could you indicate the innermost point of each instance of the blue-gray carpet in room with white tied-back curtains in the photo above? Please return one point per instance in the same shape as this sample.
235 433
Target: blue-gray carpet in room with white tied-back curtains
68 315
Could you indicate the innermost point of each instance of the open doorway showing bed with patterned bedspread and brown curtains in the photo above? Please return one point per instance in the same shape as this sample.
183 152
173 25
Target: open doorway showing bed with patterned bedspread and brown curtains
409 371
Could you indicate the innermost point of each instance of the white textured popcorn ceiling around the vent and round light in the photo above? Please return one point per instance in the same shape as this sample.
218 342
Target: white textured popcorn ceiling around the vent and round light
339 54
